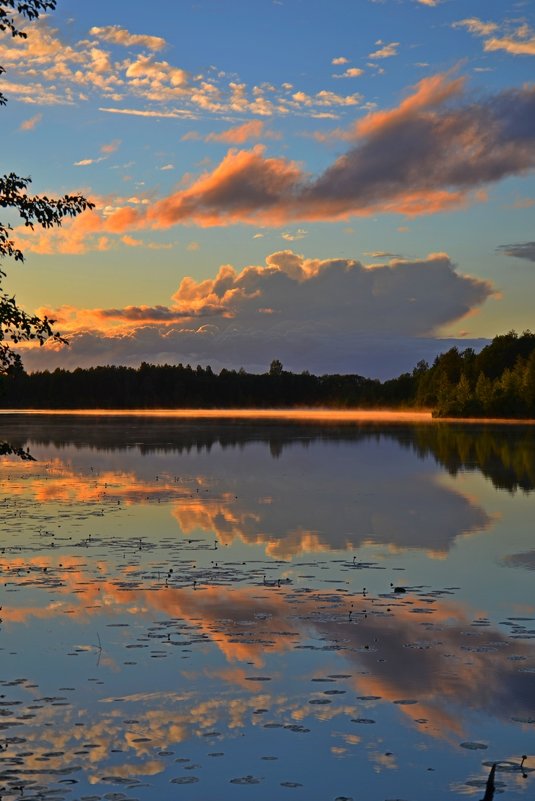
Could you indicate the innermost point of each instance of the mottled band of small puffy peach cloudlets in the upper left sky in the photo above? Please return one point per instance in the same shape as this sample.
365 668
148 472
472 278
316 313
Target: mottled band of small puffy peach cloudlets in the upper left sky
50 71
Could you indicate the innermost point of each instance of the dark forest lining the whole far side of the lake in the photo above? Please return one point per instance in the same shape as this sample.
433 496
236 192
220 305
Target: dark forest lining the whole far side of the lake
499 381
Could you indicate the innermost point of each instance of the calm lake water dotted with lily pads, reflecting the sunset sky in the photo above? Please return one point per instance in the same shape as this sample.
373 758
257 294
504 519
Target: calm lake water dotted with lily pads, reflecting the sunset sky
217 605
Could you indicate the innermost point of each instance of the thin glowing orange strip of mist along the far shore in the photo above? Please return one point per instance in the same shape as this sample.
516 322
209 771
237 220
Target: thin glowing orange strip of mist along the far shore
320 415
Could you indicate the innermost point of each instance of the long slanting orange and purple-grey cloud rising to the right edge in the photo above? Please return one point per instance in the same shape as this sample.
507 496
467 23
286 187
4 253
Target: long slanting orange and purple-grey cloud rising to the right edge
434 152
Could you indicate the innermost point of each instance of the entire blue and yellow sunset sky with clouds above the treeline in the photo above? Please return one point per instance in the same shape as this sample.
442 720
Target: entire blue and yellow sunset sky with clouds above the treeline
346 186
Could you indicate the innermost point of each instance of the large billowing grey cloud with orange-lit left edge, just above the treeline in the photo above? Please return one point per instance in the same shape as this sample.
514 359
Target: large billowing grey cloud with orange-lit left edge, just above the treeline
323 315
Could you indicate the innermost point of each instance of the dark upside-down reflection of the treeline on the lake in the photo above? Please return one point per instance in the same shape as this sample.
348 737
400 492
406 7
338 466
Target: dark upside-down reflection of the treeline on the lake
503 453
